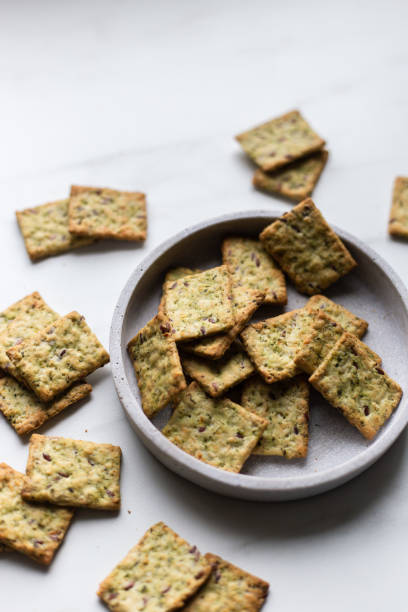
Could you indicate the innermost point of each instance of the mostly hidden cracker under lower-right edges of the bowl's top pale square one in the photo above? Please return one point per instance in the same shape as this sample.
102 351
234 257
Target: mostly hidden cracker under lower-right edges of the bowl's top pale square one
244 303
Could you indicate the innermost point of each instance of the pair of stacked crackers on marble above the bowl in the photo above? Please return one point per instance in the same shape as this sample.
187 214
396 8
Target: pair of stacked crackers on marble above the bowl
289 154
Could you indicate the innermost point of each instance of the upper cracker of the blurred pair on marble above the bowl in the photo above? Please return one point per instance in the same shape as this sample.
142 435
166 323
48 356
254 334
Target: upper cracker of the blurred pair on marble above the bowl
277 142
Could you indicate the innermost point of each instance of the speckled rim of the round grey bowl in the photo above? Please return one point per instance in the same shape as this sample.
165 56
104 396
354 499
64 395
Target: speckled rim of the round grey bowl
246 486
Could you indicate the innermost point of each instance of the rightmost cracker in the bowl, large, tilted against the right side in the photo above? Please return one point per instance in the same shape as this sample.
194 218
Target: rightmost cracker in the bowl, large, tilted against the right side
351 381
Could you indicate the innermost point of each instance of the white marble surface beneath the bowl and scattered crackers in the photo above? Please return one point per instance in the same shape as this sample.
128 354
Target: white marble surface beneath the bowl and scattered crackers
148 95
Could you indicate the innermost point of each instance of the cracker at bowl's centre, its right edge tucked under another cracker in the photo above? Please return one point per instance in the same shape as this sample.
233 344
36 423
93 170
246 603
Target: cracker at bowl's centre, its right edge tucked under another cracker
274 343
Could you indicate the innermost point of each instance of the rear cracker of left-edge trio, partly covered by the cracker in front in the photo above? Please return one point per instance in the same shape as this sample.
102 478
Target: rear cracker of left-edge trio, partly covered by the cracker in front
26 325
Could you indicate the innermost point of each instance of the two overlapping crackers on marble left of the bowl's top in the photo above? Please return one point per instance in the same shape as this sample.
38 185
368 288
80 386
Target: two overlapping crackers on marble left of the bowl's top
89 214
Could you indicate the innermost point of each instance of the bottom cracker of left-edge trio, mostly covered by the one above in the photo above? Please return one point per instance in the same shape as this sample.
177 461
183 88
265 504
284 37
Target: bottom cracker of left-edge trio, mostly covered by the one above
25 412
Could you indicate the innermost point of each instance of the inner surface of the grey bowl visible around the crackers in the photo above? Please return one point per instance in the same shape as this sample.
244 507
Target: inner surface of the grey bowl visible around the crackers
368 292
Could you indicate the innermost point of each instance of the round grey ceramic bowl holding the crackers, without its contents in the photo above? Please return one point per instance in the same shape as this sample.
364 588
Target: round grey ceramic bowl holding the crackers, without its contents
337 452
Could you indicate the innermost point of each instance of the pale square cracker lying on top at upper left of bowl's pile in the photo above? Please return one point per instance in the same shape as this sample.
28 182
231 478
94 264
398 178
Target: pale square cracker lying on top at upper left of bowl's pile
199 305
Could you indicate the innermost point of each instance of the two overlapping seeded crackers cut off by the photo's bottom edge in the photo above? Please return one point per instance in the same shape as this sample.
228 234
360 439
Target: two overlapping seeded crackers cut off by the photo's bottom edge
164 572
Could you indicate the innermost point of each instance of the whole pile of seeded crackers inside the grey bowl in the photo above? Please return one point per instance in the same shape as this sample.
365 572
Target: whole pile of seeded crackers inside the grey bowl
202 343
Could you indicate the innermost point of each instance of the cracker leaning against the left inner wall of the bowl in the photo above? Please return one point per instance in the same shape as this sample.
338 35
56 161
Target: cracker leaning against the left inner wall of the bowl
157 366
